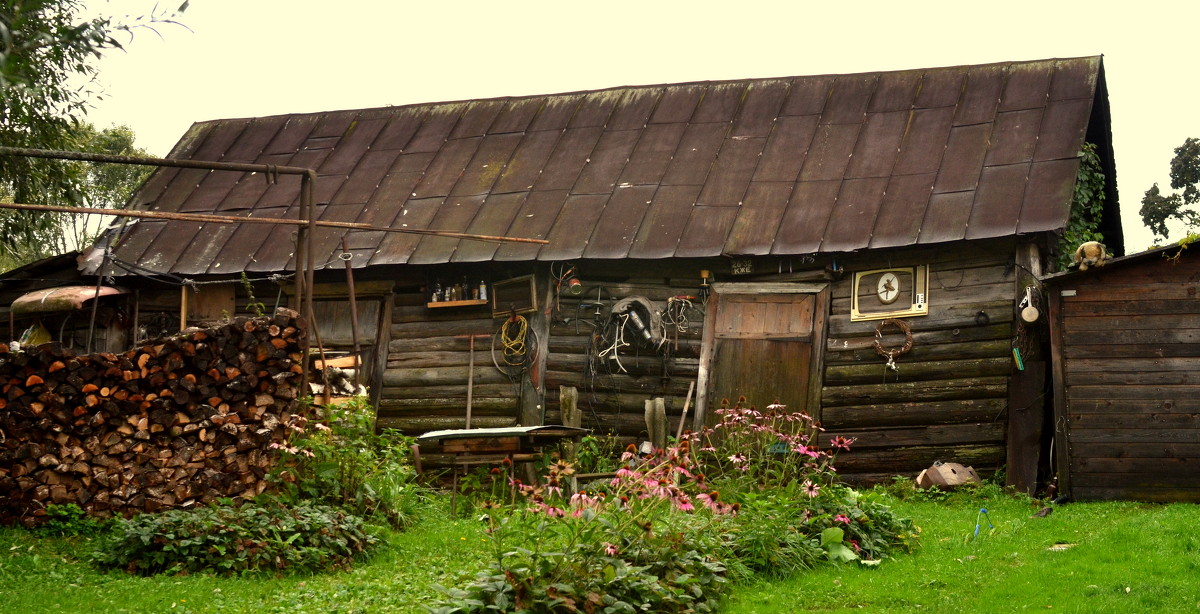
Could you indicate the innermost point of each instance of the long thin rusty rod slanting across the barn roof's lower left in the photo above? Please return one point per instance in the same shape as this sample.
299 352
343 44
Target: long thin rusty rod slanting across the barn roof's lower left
238 220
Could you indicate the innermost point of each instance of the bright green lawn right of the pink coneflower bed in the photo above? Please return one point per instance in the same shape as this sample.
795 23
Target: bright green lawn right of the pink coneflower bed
1123 557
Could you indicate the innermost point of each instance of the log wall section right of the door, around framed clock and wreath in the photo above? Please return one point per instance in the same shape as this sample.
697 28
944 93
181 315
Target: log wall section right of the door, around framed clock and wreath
947 400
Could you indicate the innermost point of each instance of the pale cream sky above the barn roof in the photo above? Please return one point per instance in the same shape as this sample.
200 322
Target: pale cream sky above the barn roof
255 58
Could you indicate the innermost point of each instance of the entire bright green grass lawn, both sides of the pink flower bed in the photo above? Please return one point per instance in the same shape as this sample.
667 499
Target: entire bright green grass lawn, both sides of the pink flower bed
1125 557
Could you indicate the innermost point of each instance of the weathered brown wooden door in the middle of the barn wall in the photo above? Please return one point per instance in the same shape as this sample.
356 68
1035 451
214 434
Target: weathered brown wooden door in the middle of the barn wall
763 351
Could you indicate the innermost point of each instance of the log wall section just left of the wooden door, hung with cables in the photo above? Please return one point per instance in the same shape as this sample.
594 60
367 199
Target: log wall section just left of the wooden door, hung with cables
614 401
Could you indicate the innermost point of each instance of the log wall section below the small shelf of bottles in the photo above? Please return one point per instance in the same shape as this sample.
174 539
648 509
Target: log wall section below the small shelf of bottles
430 365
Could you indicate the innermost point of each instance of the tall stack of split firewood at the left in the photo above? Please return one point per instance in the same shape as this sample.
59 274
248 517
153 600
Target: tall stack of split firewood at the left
175 423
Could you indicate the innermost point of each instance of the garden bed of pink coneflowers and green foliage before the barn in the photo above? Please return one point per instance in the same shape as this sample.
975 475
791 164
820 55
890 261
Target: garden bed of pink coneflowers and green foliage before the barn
755 496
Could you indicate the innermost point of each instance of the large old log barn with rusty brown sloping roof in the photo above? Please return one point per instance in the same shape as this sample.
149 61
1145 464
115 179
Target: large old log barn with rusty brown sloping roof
855 246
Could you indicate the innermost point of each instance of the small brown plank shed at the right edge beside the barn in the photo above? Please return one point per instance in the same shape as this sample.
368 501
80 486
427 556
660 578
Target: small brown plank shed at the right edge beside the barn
1126 363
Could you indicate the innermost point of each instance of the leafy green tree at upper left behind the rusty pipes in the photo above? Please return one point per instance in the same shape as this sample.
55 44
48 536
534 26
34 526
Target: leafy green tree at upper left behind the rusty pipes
47 47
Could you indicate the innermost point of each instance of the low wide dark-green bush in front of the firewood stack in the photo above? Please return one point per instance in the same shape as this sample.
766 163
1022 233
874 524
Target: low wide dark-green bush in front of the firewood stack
230 540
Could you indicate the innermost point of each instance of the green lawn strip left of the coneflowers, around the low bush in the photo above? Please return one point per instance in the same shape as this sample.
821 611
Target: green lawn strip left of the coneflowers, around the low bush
43 575
